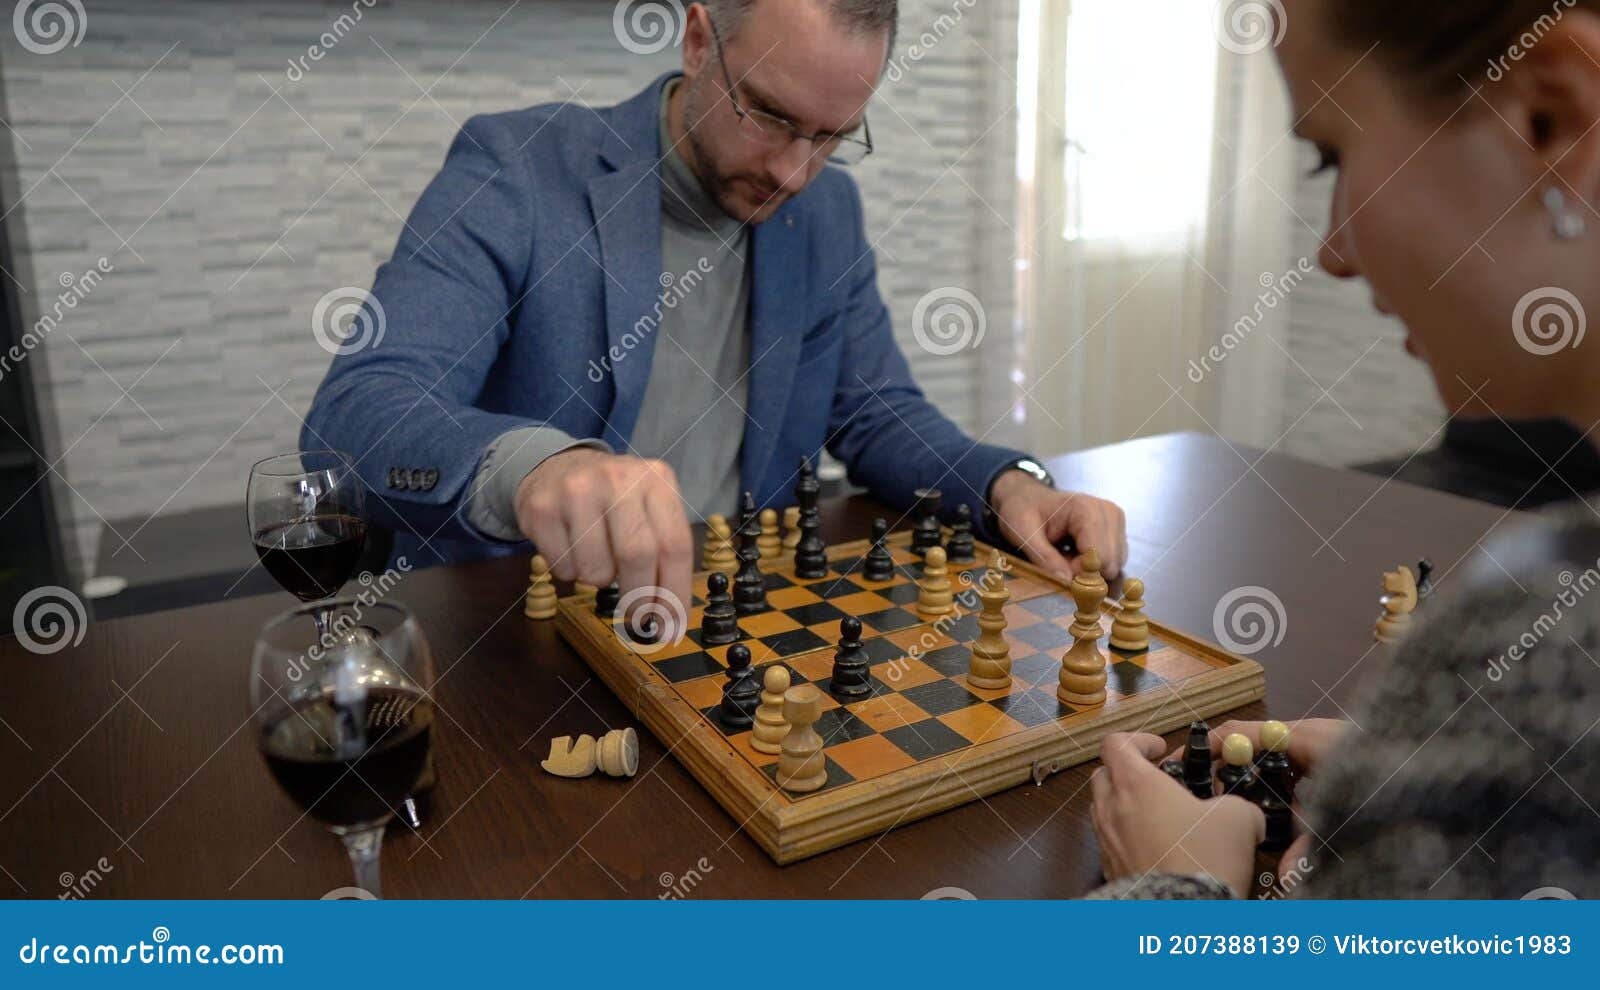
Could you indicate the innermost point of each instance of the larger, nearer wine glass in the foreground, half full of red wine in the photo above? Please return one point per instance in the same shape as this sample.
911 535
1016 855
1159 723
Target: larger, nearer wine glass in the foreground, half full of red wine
342 697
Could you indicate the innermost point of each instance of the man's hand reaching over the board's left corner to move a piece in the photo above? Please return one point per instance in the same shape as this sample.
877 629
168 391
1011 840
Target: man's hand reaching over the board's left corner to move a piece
602 517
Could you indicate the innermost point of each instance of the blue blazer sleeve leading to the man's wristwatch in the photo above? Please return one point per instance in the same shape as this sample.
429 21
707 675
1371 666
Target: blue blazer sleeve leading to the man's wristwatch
882 426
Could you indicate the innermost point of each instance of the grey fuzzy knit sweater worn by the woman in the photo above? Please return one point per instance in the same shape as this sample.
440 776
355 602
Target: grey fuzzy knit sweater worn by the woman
1474 764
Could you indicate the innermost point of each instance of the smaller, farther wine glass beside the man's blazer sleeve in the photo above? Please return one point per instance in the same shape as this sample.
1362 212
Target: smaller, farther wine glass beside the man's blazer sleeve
308 522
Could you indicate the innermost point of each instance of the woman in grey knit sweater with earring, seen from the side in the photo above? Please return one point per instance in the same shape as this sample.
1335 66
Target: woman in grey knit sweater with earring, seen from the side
1466 137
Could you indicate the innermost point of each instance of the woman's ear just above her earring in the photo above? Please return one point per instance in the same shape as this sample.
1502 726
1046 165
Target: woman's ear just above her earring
1553 95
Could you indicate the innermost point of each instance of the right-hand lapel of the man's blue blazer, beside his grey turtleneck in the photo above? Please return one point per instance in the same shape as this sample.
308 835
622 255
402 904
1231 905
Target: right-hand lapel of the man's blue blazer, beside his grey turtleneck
778 293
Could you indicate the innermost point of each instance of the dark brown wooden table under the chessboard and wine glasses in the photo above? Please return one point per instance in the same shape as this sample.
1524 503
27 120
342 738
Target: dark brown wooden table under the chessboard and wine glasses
134 751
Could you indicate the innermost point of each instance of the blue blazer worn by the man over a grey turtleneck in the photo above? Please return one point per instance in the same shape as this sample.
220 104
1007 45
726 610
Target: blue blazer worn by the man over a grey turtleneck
527 265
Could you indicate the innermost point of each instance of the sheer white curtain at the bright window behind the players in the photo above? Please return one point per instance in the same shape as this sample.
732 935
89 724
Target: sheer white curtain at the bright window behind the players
1151 218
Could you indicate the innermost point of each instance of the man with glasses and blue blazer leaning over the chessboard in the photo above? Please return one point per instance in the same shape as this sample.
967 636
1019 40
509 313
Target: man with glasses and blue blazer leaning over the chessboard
598 321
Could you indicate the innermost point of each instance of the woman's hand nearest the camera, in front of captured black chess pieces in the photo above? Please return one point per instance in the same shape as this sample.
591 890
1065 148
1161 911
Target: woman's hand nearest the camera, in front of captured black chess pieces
1150 824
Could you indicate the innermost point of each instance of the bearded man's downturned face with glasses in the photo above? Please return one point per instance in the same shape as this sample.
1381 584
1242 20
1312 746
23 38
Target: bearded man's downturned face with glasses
788 60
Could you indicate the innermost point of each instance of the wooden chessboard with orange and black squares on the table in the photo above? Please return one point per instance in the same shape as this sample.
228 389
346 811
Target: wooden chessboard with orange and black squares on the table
924 741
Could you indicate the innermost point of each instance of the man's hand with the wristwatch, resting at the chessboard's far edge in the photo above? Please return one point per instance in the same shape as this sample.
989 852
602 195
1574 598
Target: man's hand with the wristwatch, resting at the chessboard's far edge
1036 519
